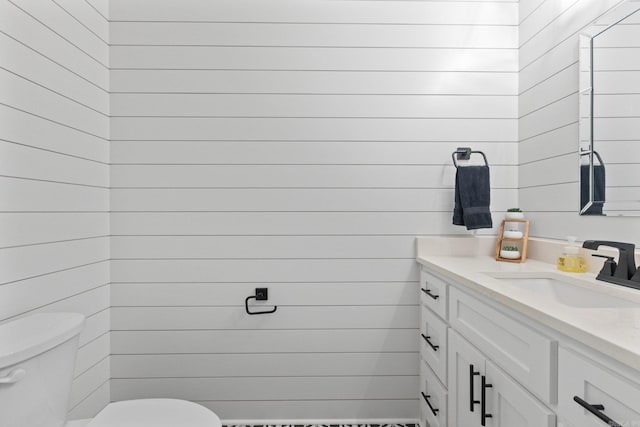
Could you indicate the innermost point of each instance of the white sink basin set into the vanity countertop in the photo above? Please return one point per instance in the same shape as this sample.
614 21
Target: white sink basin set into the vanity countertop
562 291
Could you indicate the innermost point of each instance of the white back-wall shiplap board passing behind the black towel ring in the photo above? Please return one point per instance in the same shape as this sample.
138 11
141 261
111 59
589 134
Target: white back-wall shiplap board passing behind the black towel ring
300 152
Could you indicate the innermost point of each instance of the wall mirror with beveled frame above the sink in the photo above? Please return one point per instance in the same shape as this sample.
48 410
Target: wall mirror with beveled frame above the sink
610 114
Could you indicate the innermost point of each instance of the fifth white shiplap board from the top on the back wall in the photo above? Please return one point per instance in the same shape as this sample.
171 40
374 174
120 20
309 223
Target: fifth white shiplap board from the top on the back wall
327 106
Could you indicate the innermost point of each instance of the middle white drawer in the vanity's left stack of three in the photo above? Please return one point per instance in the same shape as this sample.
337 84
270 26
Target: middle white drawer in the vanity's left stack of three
433 348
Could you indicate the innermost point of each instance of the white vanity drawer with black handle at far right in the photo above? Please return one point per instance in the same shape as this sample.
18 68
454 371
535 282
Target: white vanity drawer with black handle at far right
595 385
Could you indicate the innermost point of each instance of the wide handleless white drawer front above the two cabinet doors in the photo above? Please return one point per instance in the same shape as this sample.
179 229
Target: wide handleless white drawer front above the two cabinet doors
525 354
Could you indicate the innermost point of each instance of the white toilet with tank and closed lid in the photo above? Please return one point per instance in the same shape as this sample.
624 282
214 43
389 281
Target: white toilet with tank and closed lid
37 357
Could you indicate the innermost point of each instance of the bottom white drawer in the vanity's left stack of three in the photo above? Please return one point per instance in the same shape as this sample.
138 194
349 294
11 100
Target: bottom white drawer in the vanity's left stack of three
435 394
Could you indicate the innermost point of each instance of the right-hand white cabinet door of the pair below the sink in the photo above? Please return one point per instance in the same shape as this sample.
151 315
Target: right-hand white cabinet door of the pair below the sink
510 405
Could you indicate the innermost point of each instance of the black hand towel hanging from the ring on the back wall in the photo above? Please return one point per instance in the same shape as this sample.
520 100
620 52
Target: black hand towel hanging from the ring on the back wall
472 198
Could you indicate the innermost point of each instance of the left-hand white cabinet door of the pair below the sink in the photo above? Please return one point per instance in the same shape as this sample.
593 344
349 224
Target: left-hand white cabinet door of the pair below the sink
466 367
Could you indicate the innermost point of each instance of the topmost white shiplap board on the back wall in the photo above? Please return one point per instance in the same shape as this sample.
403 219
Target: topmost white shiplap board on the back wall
318 11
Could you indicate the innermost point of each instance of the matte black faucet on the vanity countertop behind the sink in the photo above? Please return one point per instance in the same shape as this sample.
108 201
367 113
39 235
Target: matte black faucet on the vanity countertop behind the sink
625 270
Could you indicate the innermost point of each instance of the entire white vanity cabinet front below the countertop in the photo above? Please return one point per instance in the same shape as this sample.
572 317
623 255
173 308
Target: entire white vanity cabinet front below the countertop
486 364
